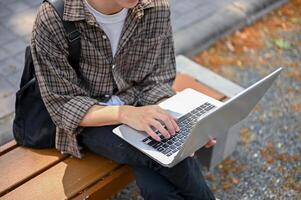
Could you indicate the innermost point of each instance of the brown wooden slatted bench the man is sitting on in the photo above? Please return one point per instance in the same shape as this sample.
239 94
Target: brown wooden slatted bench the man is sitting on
46 174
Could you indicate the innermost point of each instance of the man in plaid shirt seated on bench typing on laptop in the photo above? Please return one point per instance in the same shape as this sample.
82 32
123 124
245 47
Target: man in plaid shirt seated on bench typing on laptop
127 65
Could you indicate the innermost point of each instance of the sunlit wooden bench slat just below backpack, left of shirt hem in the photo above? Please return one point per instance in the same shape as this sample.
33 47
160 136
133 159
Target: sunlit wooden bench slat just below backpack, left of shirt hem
21 164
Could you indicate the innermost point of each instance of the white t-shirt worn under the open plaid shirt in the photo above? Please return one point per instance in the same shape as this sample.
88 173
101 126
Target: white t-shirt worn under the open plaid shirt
112 25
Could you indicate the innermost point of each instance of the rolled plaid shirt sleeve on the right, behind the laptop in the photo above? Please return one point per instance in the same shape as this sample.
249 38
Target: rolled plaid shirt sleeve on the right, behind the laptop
158 84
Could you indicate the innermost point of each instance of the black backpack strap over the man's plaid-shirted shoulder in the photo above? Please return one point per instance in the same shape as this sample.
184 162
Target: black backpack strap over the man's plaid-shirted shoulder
73 35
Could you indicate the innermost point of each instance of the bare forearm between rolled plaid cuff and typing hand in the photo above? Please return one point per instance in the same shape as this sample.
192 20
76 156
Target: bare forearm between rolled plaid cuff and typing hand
103 115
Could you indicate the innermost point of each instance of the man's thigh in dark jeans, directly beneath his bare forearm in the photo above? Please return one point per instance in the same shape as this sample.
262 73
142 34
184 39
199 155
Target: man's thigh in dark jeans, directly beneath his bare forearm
102 141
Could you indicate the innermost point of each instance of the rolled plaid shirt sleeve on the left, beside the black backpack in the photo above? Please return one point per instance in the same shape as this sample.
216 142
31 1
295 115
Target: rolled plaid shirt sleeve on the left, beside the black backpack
64 97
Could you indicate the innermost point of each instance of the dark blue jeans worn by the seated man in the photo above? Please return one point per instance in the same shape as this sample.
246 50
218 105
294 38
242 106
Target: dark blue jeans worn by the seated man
183 181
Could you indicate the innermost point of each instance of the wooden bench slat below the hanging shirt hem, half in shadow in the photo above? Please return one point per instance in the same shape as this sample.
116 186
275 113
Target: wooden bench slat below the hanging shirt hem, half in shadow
64 180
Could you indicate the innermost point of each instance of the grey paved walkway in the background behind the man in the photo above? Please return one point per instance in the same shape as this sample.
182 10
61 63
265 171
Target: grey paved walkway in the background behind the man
16 19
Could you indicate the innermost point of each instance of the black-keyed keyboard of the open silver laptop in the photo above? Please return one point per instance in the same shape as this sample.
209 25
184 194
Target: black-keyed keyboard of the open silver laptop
186 122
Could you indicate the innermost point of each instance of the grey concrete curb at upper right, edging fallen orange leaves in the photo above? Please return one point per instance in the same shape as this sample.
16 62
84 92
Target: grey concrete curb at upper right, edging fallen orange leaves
236 15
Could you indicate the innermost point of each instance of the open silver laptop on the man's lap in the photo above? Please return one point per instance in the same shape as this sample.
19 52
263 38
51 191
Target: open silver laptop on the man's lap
199 118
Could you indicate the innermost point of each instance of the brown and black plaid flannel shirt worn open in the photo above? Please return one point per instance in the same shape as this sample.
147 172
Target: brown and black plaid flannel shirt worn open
141 72
